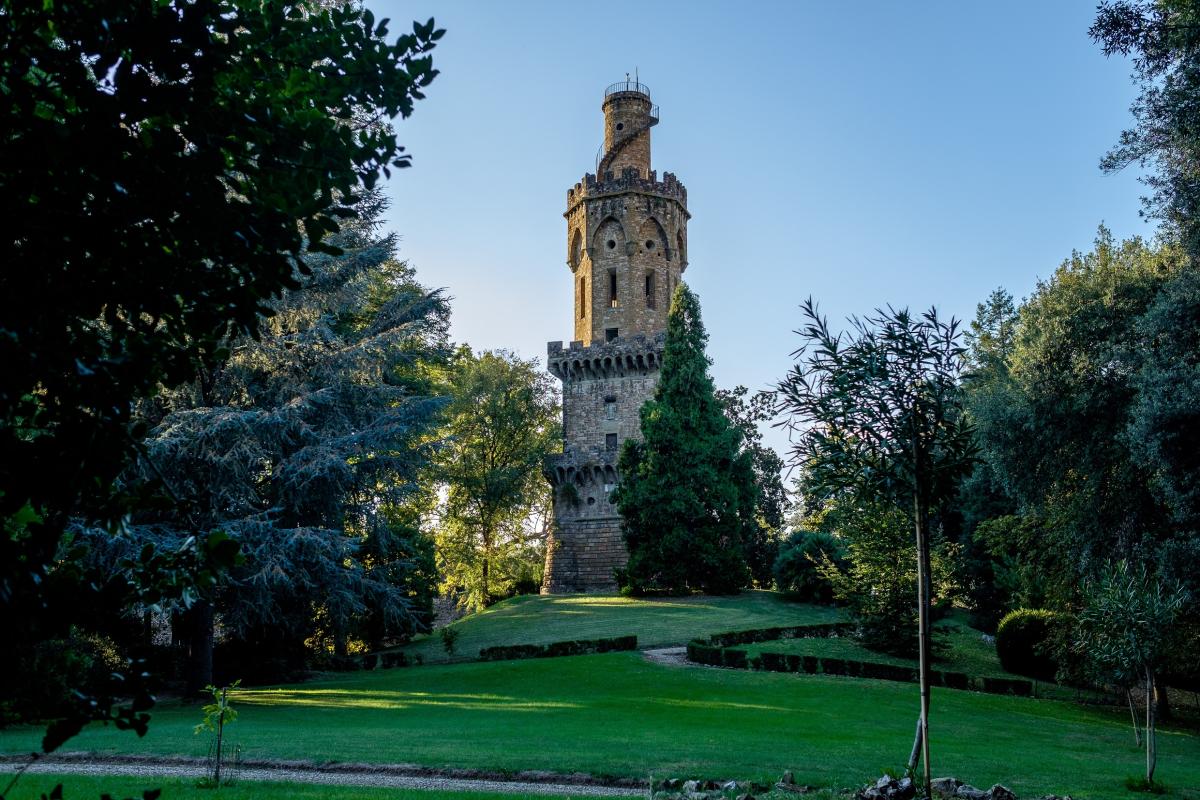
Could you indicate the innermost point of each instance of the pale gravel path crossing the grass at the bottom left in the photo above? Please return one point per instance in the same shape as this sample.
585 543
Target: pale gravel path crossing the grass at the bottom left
388 777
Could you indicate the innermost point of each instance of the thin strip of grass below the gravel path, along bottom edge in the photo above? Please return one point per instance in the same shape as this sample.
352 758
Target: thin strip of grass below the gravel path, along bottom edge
86 786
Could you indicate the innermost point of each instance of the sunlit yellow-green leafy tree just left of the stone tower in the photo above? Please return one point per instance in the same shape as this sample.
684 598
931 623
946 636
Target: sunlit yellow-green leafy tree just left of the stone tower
502 424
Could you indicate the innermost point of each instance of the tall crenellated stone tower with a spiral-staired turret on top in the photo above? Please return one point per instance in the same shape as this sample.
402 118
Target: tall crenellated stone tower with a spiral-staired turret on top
627 248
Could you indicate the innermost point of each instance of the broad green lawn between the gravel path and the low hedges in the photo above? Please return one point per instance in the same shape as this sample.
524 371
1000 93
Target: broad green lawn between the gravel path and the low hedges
617 714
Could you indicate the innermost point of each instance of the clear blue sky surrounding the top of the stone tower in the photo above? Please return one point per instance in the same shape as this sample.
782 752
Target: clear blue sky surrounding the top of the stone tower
861 153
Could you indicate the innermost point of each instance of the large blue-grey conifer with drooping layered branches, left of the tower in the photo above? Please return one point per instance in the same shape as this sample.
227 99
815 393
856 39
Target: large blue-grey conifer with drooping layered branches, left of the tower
304 446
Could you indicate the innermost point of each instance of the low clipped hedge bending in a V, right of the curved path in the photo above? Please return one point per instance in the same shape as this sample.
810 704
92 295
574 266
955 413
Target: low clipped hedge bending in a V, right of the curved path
717 652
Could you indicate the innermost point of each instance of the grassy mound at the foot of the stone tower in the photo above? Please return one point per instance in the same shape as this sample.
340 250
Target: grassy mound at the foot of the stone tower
656 622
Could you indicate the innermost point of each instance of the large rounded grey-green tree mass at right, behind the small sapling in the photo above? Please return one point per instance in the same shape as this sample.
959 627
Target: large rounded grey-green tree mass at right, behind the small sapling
1095 377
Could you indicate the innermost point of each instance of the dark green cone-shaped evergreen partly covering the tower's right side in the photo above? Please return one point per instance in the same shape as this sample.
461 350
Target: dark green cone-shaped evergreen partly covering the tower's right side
688 496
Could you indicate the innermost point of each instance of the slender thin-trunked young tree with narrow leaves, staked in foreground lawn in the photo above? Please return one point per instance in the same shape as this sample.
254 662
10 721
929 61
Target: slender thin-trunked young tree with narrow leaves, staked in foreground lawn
877 416
